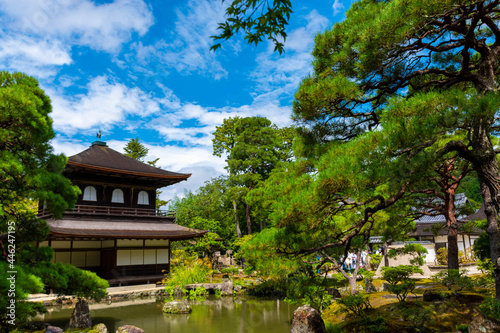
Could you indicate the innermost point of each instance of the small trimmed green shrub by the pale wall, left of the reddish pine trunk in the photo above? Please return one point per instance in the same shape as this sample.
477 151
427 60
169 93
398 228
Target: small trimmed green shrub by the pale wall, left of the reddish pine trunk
399 280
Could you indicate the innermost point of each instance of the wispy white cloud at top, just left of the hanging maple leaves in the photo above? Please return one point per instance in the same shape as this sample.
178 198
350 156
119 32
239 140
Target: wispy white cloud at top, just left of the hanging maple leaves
189 49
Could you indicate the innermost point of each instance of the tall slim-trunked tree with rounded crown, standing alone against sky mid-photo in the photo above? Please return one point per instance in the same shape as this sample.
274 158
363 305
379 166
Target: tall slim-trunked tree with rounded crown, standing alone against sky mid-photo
254 147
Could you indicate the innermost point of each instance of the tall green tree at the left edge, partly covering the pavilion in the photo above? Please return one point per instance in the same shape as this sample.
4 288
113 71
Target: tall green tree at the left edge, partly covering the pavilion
29 172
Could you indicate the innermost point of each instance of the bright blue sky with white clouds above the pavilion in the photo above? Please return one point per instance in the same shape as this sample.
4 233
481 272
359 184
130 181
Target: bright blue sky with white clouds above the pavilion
143 68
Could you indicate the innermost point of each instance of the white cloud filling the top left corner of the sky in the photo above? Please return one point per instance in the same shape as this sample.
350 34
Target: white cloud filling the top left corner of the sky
79 22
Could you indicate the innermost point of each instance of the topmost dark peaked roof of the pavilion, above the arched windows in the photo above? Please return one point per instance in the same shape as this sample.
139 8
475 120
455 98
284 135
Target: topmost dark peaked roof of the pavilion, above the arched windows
100 157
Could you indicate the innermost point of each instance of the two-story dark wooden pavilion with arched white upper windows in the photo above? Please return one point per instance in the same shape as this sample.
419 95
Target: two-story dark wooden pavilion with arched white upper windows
115 229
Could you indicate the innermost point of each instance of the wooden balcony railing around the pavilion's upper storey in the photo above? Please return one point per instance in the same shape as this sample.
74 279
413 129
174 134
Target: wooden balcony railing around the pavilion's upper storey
107 210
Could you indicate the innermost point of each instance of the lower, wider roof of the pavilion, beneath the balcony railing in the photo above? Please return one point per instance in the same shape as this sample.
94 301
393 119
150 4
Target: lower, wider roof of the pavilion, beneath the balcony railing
125 229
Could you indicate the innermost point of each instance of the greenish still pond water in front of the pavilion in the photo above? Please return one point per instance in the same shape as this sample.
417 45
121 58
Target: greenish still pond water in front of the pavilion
213 315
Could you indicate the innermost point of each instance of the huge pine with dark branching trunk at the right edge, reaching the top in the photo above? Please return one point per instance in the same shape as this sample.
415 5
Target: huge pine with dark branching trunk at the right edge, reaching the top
388 50
